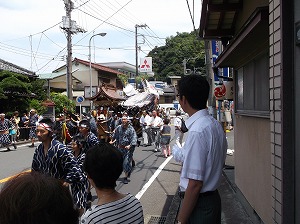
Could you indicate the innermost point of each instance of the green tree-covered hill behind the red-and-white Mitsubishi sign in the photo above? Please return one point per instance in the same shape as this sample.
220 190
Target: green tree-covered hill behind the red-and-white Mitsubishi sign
168 60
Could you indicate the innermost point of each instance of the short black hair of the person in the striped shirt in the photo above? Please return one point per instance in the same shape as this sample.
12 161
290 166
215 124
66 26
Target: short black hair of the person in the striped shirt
104 165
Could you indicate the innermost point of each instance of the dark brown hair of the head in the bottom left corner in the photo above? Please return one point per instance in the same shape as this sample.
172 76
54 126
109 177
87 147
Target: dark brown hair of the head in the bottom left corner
34 198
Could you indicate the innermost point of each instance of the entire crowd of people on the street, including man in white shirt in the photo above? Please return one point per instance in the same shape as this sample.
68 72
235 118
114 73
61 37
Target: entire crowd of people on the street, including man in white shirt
102 148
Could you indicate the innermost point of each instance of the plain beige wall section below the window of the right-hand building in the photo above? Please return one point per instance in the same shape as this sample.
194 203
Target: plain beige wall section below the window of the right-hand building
253 163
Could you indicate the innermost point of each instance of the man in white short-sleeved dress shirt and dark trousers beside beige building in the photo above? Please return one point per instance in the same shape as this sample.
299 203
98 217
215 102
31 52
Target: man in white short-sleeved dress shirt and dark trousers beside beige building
203 156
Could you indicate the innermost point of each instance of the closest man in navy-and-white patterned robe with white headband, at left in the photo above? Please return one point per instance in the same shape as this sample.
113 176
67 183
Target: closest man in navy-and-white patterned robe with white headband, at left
53 158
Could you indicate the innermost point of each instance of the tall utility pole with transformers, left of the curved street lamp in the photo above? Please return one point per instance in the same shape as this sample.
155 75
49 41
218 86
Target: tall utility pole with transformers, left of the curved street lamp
70 27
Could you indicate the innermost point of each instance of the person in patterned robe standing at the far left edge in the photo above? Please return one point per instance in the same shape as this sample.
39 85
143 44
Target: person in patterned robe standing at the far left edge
5 125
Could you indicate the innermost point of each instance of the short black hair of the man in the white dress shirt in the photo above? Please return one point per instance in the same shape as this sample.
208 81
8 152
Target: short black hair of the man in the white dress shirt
195 88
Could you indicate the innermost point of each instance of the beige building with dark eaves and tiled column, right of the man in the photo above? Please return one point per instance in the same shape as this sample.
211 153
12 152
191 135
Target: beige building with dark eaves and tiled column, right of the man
259 42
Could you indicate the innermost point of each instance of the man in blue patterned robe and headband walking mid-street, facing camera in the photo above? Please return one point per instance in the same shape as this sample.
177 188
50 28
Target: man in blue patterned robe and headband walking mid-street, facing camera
126 139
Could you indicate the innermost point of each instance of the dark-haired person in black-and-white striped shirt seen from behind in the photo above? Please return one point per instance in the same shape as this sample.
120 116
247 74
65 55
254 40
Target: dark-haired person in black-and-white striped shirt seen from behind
103 165
